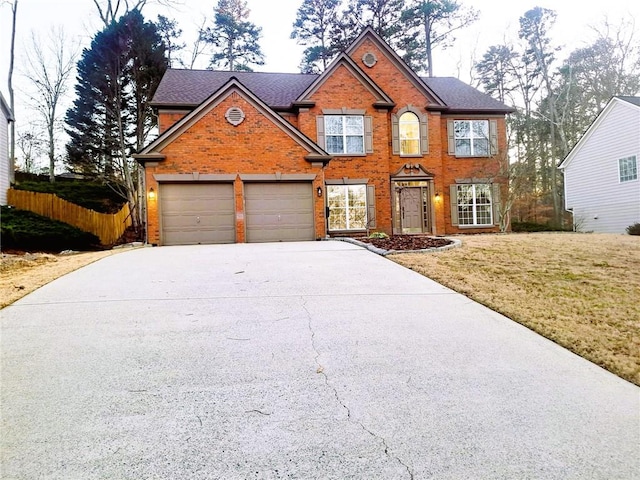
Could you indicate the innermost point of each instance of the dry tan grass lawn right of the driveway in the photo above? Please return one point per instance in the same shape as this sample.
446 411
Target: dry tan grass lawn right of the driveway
580 290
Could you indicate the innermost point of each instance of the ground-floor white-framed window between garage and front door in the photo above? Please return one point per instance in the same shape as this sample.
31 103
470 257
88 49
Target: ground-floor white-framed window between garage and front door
347 207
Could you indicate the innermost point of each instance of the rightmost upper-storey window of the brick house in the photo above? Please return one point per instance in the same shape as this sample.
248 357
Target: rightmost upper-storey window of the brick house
472 138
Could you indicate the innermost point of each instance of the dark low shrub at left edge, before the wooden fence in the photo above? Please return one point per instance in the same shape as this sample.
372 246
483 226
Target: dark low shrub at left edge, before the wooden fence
23 230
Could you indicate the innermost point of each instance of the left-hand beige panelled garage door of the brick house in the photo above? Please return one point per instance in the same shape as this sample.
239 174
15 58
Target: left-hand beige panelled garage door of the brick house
199 213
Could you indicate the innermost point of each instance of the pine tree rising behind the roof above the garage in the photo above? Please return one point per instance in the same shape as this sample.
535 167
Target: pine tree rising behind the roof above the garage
235 40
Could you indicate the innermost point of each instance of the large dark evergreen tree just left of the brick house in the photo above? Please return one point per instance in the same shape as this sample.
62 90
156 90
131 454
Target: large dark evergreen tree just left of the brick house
111 117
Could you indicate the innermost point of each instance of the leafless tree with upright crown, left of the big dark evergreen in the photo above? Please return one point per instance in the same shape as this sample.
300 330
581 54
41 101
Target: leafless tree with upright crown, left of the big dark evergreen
49 72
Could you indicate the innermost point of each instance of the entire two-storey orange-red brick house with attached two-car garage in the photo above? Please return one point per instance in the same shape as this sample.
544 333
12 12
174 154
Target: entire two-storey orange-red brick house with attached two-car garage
367 145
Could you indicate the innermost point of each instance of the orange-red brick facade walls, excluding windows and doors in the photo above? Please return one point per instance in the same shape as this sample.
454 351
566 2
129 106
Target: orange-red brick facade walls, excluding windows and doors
286 144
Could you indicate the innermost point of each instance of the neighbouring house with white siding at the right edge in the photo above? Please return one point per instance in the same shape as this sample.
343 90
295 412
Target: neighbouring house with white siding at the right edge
601 174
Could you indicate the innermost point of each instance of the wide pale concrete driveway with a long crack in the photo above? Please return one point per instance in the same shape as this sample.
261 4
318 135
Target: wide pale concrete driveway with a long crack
297 360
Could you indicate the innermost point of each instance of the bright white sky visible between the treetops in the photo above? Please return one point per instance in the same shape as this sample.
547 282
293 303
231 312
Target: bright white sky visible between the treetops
498 21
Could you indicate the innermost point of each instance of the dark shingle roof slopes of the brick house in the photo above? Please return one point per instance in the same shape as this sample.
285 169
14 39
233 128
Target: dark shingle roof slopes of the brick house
191 87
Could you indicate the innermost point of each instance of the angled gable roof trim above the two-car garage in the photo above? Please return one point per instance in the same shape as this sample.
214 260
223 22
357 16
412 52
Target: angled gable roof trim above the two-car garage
152 151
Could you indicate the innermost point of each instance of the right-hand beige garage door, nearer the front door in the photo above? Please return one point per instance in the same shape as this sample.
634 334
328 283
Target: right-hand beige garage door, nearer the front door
279 212
